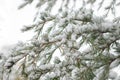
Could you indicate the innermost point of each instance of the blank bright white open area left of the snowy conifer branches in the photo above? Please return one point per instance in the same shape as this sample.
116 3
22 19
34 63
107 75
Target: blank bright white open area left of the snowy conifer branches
12 21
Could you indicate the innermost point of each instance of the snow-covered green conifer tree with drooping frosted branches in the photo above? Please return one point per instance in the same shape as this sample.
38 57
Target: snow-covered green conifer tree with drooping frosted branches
87 44
